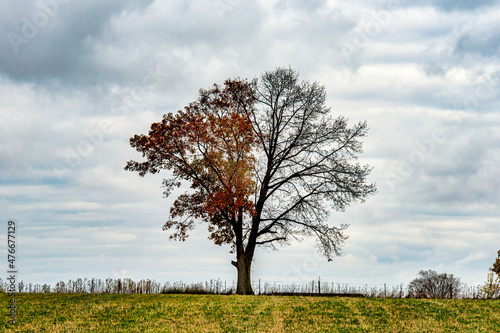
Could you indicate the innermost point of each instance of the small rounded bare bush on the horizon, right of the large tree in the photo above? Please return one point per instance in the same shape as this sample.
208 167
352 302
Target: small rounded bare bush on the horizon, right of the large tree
430 284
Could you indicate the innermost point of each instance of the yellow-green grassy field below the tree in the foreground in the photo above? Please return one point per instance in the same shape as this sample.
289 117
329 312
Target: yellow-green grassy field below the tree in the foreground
218 313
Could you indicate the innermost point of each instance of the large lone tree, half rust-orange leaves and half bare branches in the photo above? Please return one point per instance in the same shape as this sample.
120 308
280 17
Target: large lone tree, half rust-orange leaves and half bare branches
267 162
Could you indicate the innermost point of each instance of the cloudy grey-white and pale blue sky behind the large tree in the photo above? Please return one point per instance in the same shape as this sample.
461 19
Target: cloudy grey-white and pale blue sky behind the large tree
79 78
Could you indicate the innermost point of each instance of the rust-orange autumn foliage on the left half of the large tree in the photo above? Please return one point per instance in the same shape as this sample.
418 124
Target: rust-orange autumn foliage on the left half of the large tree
209 144
